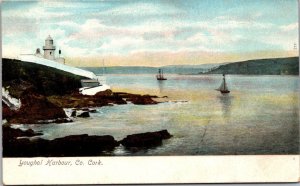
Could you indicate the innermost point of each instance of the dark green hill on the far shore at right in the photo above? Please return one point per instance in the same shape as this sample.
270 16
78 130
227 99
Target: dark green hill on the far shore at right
276 66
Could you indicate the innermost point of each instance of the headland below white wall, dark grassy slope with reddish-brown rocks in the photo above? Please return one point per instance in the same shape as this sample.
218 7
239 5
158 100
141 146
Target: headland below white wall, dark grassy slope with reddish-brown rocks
44 92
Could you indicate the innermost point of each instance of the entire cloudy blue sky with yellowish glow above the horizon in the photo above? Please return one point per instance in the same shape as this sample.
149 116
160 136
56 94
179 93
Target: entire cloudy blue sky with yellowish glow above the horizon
152 33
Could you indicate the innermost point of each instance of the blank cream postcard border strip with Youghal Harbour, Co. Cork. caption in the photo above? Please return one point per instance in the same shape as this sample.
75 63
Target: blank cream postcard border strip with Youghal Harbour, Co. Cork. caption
153 169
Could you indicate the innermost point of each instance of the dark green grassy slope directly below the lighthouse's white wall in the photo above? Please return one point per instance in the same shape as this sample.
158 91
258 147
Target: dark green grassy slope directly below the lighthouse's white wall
18 75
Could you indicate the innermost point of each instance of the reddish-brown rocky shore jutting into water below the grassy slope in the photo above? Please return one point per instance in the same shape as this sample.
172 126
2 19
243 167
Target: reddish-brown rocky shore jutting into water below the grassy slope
39 109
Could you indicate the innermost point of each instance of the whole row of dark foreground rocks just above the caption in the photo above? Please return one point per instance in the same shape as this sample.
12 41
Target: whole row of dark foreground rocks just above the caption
17 144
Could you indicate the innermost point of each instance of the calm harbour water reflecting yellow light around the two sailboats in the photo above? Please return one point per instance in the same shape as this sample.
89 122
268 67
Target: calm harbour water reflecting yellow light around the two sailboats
259 116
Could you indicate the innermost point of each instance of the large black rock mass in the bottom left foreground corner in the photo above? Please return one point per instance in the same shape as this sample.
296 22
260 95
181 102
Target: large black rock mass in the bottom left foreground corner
75 145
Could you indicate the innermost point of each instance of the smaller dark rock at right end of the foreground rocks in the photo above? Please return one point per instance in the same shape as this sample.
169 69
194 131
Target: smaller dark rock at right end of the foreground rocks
148 139
